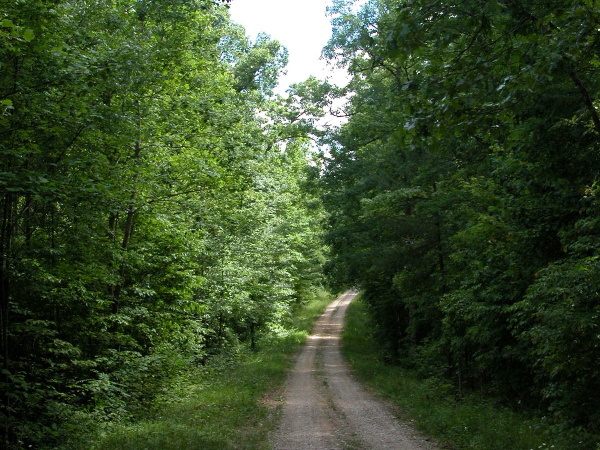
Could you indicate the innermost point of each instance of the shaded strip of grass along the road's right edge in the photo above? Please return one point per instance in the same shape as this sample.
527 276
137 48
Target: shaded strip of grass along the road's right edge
471 423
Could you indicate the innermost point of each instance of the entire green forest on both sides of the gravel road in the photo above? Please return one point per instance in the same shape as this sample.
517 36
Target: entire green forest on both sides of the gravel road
160 204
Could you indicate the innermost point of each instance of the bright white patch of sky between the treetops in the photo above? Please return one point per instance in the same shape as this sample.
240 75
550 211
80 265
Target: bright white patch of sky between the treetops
300 25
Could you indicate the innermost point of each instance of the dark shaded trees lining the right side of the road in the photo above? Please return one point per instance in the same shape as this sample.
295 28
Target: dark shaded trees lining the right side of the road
463 191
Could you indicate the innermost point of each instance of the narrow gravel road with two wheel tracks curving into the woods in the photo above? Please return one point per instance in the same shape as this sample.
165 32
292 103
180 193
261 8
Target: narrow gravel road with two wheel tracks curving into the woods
325 408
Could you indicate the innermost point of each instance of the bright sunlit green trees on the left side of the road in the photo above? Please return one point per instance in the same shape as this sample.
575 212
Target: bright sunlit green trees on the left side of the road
152 211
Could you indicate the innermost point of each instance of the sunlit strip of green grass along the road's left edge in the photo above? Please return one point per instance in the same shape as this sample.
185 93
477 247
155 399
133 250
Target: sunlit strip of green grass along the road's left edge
232 404
